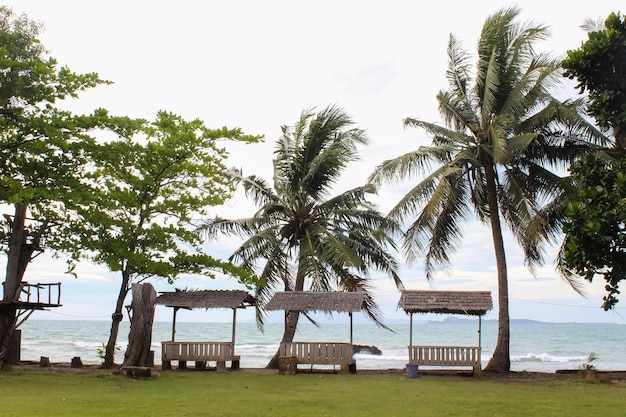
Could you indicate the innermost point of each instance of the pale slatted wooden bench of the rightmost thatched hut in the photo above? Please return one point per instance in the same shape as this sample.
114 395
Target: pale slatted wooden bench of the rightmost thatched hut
445 356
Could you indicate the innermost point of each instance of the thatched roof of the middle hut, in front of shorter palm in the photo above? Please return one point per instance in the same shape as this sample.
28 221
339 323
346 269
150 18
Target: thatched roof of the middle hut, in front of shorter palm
328 302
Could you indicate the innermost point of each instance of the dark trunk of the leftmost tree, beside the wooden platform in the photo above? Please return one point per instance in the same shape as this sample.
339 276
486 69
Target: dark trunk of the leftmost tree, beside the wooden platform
14 274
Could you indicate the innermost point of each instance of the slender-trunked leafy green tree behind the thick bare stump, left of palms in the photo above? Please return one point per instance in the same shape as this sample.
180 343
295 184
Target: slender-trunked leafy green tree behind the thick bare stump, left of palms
147 189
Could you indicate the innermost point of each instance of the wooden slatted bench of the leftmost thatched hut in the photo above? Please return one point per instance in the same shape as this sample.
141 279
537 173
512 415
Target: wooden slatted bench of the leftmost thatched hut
200 352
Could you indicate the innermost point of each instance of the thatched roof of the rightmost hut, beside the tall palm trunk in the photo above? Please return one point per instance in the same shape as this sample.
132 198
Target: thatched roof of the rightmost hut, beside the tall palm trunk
474 303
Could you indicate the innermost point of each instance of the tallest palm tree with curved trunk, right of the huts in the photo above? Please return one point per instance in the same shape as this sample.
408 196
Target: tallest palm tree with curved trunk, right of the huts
503 134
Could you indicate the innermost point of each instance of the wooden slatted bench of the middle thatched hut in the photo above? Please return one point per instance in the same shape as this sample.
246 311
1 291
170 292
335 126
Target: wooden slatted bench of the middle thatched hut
320 353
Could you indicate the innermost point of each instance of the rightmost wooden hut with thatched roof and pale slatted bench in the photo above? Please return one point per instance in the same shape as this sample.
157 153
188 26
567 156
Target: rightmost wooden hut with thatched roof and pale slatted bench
473 303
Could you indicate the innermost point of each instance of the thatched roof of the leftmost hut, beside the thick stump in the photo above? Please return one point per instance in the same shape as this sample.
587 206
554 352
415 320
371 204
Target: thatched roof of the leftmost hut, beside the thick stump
205 299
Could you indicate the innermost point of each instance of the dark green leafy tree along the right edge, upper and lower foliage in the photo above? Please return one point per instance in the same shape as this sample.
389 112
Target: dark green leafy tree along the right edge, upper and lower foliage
595 235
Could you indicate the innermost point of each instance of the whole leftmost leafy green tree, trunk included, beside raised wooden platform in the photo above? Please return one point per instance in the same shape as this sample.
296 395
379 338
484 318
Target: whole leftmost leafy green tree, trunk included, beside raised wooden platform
41 152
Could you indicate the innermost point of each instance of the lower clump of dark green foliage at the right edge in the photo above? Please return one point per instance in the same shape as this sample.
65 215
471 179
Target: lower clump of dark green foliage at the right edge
595 228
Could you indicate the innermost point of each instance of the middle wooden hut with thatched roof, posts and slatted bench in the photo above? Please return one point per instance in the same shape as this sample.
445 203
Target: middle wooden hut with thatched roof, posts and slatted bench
323 353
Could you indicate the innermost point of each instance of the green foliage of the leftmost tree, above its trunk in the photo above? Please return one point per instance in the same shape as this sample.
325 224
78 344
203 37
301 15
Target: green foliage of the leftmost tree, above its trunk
41 146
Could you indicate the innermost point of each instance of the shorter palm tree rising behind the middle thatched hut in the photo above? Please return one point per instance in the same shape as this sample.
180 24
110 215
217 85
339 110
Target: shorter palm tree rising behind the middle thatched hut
304 238
